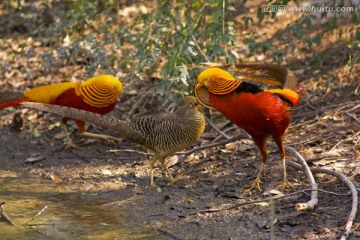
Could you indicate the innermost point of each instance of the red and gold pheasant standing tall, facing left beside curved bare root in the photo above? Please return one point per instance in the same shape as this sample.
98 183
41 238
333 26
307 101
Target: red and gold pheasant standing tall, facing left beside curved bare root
261 113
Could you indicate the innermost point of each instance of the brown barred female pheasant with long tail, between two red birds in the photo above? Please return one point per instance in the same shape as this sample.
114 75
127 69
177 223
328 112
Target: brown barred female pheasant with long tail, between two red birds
163 134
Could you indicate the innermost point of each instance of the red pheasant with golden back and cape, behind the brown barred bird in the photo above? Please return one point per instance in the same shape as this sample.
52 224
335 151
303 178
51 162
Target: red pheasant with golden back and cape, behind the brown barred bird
97 94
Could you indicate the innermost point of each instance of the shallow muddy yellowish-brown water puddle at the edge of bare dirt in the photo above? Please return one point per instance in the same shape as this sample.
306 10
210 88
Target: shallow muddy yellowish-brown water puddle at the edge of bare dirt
67 214
